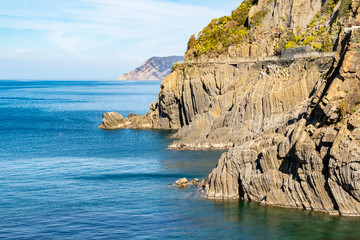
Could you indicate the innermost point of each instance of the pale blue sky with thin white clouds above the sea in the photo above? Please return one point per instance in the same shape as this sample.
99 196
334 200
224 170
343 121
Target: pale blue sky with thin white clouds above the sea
96 39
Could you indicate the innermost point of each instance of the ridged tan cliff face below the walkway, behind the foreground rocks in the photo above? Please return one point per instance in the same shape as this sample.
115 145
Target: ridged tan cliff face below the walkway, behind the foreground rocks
222 105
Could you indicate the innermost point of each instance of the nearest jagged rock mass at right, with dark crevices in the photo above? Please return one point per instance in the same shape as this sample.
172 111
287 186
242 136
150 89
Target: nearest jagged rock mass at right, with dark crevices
311 164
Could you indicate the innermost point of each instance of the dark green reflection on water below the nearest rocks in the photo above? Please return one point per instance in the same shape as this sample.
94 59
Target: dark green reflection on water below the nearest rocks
279 223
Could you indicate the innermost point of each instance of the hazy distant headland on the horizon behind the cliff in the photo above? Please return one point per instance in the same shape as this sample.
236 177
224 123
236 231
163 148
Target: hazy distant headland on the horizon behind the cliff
155 68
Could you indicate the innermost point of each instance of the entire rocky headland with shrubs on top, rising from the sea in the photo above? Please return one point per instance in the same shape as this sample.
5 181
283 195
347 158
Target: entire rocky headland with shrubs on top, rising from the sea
291 124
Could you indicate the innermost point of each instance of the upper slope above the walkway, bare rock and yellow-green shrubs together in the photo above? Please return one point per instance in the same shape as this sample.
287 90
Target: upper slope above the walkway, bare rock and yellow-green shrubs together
262 28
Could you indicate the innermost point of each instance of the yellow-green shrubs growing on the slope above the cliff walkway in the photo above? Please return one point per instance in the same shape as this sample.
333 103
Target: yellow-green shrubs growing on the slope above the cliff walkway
238 28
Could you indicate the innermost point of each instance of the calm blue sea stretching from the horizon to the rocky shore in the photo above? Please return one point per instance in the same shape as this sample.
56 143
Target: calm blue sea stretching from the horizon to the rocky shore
63 178
